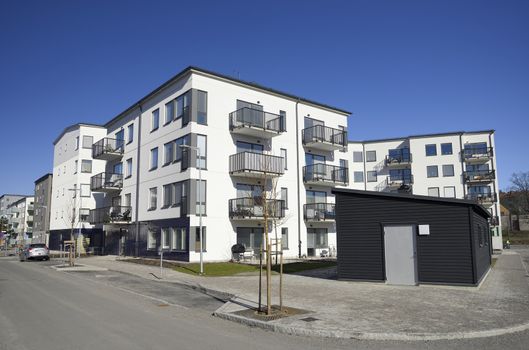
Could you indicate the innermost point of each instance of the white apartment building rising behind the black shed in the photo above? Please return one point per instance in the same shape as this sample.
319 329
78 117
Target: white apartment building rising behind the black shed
454 165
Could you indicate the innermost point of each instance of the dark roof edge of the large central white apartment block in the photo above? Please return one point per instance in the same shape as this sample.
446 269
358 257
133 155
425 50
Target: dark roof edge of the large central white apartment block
193 69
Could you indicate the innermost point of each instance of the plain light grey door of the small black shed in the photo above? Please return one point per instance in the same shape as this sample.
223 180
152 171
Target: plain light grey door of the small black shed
400 253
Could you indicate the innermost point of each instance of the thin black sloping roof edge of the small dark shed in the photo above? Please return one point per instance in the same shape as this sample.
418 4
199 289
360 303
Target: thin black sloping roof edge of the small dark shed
413 197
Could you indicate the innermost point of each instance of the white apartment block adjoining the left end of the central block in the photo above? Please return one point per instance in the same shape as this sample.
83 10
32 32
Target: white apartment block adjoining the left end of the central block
71 197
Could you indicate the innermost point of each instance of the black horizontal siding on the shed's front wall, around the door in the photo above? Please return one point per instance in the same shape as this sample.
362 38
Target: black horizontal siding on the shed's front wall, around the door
442 257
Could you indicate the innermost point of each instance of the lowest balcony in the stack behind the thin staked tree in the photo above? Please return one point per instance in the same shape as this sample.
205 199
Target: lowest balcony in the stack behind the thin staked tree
254 209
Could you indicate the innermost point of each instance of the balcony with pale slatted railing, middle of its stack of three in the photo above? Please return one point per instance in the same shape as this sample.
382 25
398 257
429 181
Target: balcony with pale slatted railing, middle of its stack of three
256 165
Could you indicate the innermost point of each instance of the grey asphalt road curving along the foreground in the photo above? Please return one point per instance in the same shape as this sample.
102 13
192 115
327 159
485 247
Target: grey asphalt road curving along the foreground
41 308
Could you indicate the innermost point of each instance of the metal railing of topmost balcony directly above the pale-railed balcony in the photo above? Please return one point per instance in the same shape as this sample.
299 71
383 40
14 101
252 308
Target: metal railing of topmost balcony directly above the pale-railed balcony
257 119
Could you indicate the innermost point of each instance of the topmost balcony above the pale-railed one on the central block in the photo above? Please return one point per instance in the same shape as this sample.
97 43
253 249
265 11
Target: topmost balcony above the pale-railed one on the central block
256 123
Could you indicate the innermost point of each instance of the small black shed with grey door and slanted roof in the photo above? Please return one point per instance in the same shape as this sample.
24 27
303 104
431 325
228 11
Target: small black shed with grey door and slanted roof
409 239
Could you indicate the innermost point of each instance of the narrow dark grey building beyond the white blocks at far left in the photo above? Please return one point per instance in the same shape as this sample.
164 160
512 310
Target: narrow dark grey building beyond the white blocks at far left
41 218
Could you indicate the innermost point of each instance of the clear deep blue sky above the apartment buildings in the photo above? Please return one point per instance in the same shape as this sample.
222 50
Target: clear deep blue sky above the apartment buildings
402 67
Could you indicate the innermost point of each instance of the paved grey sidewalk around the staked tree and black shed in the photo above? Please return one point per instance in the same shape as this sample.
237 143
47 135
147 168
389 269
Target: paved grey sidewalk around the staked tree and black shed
374 310
